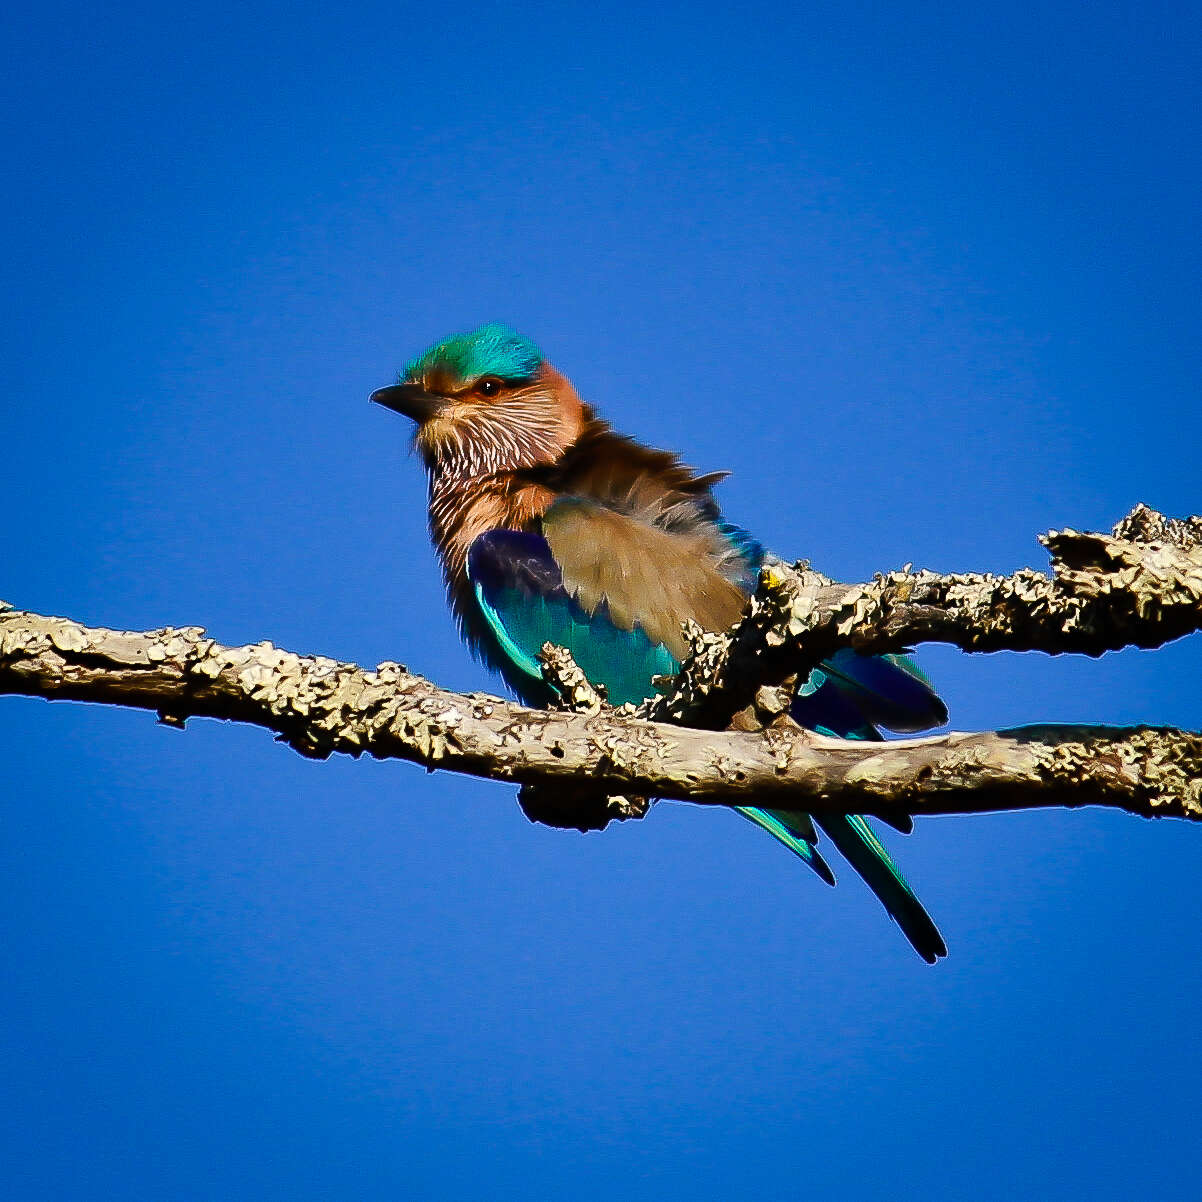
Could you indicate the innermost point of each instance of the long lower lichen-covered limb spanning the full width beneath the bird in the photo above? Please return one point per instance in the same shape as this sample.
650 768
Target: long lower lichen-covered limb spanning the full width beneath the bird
320 706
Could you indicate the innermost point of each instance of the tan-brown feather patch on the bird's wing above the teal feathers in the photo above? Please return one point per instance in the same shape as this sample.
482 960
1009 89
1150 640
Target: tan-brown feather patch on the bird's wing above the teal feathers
647 575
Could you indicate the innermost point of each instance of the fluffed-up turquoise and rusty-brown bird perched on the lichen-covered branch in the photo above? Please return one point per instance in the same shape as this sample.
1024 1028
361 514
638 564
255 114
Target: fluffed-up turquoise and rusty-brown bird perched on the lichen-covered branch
554 527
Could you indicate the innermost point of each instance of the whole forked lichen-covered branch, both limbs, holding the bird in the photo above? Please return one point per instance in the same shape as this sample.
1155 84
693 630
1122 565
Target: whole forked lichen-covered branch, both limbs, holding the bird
587 763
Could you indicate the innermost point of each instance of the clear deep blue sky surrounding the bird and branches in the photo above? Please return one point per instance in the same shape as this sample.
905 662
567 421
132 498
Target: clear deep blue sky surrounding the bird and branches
925 278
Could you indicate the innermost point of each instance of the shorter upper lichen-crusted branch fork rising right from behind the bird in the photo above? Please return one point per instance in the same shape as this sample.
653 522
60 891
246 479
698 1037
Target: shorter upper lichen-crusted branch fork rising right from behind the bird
1138 587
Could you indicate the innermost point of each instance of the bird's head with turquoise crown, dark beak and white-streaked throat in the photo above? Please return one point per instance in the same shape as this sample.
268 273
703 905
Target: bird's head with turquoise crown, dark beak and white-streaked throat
486 402
